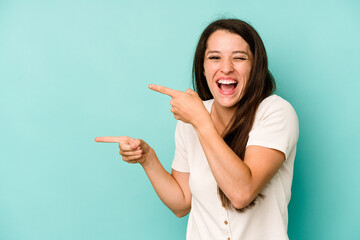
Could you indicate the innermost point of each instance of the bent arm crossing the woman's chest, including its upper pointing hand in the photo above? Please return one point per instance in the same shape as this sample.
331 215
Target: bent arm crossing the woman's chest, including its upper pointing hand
241 181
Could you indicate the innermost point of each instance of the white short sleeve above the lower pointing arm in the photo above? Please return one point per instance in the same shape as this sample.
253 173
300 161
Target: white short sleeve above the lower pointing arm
180 162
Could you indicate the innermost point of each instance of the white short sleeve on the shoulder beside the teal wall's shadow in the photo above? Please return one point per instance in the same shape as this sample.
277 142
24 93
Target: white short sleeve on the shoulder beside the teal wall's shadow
276 126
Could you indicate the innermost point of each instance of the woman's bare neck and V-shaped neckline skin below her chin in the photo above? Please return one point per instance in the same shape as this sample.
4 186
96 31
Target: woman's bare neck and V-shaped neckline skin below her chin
221 117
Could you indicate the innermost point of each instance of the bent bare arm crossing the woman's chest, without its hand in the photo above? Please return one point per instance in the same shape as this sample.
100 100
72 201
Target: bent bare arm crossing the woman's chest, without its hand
241 181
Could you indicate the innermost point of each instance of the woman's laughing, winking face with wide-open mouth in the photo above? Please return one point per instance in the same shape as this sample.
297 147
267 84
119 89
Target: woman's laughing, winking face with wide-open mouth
227 67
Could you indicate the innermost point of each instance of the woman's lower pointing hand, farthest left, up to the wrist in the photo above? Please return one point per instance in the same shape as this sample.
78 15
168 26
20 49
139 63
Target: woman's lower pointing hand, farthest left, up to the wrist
132 150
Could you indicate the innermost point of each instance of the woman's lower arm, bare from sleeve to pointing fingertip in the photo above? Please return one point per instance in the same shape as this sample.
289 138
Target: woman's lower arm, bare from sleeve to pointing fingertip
173 189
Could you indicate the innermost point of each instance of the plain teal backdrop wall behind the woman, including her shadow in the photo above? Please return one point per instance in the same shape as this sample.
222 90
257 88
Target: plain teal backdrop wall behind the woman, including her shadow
74 70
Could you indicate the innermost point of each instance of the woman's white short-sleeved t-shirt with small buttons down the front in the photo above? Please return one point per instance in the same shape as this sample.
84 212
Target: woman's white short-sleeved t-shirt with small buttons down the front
276 126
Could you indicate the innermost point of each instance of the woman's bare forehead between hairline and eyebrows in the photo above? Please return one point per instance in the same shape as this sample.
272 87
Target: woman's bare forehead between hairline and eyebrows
223 40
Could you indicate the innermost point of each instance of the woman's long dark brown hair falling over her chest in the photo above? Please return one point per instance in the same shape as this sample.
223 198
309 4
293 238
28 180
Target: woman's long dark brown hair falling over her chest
260 85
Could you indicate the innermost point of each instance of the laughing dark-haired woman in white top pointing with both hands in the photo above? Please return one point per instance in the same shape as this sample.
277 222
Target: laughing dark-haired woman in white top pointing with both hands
235 142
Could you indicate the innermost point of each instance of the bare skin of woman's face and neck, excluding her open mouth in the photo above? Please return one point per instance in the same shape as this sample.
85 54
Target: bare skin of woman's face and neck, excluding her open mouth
227 56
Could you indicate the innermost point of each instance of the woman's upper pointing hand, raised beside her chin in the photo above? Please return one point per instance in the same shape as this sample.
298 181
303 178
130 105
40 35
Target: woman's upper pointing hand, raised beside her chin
186 106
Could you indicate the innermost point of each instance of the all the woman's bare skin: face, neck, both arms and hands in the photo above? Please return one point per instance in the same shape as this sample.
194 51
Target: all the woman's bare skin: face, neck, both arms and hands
227 56
